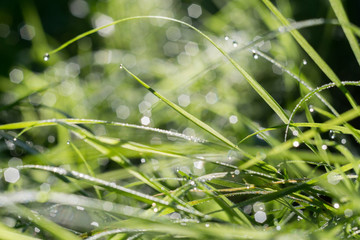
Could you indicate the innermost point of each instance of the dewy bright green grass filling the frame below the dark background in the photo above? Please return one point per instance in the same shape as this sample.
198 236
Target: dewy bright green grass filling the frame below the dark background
261 151
